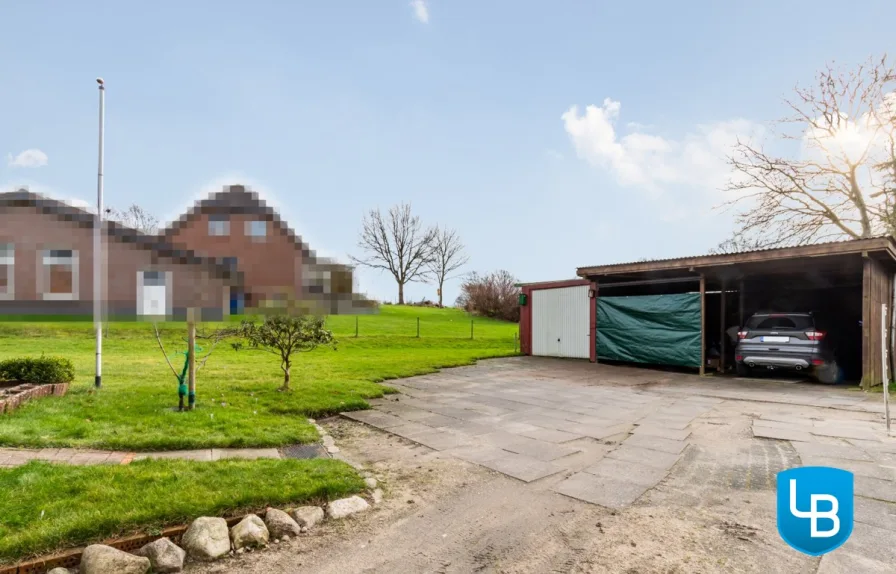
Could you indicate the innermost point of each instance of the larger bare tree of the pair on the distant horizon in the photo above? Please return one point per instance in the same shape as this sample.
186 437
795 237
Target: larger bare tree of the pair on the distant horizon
396 243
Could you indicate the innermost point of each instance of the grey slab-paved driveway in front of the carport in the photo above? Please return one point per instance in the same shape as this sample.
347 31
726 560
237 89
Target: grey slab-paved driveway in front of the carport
610 435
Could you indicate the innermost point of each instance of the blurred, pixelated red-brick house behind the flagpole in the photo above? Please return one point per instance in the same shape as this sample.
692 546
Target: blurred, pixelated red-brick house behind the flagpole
229 252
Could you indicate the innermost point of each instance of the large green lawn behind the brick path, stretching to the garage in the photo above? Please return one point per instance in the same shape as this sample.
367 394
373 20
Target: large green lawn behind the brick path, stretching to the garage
238 404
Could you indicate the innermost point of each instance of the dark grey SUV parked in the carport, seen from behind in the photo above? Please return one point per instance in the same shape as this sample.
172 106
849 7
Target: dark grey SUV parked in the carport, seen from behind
788 341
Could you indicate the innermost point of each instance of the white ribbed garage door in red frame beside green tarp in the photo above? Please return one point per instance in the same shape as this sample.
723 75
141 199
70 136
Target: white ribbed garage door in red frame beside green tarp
560 320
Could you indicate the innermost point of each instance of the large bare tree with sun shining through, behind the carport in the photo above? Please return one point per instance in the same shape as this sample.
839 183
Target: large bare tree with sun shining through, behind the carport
835 187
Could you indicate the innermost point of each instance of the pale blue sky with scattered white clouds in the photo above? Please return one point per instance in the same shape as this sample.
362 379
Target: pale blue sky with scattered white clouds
550 135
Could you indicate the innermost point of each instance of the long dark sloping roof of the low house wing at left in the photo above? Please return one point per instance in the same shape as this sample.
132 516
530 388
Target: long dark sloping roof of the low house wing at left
117 232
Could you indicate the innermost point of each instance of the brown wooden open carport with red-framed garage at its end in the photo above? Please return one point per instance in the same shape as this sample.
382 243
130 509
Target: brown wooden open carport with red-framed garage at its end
677 311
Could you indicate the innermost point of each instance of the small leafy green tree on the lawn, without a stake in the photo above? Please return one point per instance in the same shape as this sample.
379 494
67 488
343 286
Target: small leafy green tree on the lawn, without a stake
284 335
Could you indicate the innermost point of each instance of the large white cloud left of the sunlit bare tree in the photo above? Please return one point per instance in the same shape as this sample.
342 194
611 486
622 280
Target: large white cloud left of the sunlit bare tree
651 162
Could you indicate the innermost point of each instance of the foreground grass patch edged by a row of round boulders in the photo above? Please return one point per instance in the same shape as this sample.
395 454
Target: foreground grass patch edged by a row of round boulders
45 507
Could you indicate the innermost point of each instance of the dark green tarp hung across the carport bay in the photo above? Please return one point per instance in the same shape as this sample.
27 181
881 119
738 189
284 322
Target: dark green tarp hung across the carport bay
655 329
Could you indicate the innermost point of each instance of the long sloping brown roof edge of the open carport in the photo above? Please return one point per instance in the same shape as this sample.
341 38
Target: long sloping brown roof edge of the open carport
884 244
